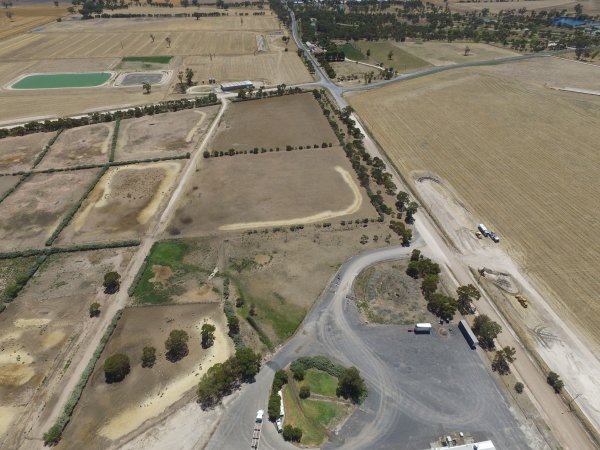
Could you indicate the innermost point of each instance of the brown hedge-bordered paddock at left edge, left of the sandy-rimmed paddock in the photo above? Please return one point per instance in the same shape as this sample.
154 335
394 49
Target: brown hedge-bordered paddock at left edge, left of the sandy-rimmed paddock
34 210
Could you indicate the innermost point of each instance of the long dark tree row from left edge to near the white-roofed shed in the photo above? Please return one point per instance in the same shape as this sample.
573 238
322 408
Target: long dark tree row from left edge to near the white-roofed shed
93 118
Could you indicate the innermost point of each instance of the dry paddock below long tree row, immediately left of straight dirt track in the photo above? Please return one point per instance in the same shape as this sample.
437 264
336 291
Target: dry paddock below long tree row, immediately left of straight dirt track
163 135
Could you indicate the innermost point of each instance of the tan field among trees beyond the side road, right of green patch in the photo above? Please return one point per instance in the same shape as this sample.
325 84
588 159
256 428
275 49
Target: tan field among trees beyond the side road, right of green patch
444 53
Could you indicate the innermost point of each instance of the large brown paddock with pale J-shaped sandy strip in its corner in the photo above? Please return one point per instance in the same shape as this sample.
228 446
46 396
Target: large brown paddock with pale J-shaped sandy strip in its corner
271 187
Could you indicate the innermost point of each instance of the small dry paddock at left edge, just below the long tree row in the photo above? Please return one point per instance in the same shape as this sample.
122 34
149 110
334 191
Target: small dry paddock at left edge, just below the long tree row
18 153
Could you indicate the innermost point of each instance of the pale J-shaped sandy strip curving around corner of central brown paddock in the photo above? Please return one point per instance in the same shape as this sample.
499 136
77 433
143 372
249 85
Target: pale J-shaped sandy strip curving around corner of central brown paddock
319 217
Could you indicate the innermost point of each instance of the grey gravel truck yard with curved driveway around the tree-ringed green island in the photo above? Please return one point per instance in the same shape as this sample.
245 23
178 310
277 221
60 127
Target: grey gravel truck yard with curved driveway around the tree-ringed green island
419 386
